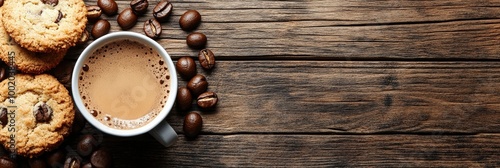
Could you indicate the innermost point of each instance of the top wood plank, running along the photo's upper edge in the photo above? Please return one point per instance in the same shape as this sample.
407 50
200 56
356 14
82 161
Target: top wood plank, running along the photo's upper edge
336 30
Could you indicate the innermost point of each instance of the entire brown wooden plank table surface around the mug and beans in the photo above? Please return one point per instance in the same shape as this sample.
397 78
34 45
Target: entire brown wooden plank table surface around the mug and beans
336 83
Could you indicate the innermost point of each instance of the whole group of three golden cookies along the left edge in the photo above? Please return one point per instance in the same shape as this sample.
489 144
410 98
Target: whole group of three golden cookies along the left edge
36 110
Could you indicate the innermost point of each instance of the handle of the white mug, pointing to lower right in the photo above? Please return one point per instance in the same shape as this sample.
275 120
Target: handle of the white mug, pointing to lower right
164 133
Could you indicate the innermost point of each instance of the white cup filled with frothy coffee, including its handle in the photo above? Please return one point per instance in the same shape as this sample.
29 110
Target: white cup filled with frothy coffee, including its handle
124 84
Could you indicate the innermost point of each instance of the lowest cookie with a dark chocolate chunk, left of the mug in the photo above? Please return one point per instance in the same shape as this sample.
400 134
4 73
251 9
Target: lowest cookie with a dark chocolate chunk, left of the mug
38 118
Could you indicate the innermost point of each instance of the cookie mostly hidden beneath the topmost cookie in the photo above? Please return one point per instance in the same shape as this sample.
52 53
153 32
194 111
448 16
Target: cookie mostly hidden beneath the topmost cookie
26 61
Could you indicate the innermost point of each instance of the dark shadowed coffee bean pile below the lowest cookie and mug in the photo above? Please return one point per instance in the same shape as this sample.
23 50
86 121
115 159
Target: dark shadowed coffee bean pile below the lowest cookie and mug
82 149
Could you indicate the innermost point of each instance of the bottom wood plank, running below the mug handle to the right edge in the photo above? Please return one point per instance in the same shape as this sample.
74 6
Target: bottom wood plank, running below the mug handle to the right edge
310 150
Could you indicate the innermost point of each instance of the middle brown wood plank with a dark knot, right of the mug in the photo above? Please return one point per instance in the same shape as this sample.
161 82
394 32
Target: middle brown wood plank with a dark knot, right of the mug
352 97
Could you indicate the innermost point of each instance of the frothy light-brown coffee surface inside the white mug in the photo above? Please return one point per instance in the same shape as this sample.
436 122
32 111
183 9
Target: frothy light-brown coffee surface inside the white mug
124 84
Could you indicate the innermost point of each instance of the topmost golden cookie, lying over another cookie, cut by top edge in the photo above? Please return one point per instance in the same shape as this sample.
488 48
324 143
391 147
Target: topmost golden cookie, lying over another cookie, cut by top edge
53 26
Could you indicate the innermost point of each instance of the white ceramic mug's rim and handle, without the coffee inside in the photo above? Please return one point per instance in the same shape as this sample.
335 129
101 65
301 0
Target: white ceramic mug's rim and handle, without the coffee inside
158 127
